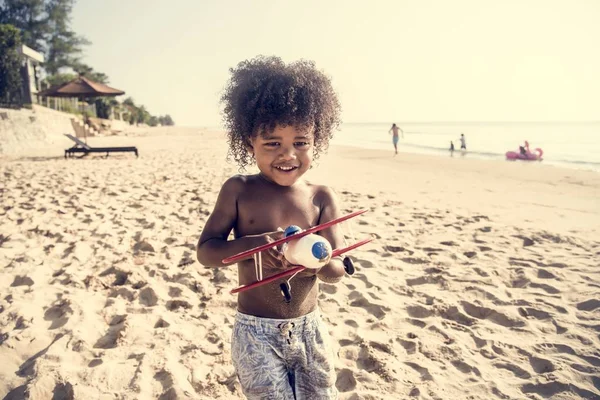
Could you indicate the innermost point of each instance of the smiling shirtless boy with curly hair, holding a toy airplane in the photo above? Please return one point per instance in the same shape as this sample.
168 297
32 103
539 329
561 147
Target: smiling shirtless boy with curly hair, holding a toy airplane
280 117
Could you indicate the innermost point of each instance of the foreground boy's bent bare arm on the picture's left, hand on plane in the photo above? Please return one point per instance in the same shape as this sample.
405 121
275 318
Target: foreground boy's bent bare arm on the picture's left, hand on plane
213 245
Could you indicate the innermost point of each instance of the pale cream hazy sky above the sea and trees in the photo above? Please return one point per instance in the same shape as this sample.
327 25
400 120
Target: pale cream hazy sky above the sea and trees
389 61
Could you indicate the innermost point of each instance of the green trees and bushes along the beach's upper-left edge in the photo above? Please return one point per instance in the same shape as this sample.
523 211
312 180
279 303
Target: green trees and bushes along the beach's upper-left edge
45 26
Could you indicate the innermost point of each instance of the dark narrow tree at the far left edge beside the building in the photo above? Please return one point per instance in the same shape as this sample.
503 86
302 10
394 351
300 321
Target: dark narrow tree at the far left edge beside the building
10 64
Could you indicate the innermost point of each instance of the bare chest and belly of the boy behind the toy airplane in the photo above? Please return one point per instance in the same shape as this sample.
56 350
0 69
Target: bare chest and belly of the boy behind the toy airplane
264 207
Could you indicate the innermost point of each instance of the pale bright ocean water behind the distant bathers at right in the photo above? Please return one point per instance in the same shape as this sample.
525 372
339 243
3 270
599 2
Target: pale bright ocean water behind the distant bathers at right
567 144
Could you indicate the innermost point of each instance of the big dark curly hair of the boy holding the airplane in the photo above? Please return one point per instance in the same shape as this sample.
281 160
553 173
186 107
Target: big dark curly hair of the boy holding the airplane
264 93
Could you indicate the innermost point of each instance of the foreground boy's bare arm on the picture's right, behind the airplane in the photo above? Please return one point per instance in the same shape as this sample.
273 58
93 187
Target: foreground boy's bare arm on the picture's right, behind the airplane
333 271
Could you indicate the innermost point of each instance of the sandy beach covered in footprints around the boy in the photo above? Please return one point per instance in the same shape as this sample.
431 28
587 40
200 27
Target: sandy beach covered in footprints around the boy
482 281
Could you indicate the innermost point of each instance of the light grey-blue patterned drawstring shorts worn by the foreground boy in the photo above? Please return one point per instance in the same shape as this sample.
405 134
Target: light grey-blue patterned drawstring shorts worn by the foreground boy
283 358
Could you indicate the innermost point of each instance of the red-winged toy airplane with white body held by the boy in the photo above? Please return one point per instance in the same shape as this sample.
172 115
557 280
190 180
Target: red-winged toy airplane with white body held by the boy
299 247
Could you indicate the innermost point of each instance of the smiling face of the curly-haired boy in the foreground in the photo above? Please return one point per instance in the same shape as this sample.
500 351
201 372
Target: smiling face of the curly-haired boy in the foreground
284 155
